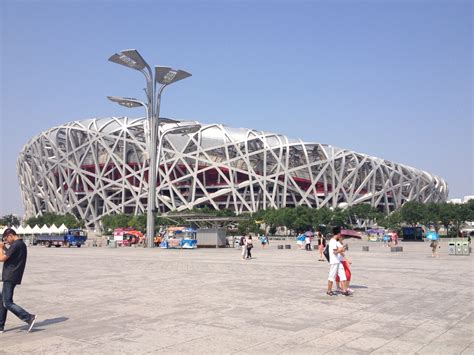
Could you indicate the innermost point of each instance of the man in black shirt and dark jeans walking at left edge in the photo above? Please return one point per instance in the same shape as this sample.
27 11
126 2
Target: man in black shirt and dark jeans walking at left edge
14 262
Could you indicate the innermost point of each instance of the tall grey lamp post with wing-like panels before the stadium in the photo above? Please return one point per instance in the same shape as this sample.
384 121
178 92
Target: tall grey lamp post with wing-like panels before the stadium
164 76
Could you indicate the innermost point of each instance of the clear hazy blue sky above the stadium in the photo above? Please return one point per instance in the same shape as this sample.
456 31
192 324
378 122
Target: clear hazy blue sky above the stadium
391 79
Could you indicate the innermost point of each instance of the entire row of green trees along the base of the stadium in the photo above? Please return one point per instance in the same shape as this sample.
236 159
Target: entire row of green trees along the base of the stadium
295 220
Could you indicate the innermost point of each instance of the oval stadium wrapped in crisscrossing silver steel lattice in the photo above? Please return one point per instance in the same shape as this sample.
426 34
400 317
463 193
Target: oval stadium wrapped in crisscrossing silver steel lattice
97 167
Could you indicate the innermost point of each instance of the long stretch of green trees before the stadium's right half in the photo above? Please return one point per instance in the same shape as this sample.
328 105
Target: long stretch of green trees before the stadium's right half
359 217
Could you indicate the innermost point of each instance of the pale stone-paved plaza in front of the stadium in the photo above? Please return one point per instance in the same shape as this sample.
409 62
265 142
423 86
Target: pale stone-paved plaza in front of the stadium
133 300
